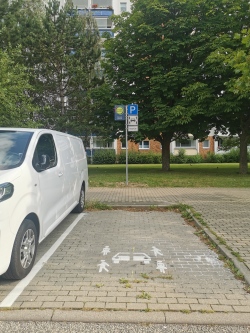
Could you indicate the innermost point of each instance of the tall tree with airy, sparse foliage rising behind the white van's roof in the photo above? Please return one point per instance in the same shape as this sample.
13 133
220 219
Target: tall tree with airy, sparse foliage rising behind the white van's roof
65 55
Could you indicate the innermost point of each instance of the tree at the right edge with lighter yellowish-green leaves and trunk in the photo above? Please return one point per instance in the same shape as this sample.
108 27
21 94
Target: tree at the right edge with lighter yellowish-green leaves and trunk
226 87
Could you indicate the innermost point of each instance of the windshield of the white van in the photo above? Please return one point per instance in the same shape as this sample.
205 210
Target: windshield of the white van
13 147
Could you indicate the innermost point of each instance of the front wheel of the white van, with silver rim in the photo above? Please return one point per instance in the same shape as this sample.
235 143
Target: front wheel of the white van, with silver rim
23 252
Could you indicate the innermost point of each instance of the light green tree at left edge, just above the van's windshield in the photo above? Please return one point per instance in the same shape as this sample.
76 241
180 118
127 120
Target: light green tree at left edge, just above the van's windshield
16 109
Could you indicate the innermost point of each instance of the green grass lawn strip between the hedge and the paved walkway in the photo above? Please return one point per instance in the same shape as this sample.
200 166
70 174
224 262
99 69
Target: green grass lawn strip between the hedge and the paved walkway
181 175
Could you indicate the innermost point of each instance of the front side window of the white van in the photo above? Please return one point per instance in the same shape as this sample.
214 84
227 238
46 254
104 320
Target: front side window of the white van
45 156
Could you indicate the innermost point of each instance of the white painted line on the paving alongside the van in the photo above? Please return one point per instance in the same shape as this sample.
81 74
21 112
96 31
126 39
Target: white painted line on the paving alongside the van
13 295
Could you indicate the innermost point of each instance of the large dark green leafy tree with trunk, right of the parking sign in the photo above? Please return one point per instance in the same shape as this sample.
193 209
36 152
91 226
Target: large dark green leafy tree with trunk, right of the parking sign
158 57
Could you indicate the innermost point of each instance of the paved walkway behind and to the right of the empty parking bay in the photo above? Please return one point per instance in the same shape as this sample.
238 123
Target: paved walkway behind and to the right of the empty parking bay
225 210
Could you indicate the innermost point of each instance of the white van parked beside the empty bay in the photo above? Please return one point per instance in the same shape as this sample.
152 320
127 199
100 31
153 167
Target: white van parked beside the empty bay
43 177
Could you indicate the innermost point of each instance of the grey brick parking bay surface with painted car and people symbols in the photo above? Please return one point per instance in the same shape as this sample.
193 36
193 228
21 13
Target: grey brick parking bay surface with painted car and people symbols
128 260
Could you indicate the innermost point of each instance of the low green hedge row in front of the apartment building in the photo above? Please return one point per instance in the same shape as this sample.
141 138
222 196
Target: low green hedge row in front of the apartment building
108 156
